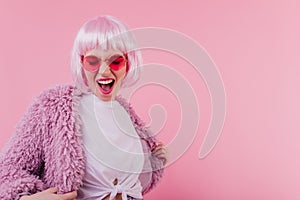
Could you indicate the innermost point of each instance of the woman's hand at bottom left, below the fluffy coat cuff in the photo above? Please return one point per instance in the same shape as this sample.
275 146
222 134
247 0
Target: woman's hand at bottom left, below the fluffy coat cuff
50 194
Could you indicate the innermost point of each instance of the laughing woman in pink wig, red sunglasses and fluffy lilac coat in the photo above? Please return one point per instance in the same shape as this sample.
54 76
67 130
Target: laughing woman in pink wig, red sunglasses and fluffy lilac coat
84 140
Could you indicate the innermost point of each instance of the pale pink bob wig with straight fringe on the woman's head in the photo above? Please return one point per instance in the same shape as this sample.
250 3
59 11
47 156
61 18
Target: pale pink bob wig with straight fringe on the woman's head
105 32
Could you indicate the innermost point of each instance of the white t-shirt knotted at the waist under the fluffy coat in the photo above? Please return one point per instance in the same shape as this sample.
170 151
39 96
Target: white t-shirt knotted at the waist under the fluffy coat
113 151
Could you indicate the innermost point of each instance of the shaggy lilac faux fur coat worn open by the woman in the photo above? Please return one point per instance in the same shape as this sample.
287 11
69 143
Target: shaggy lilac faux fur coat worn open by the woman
47 151
